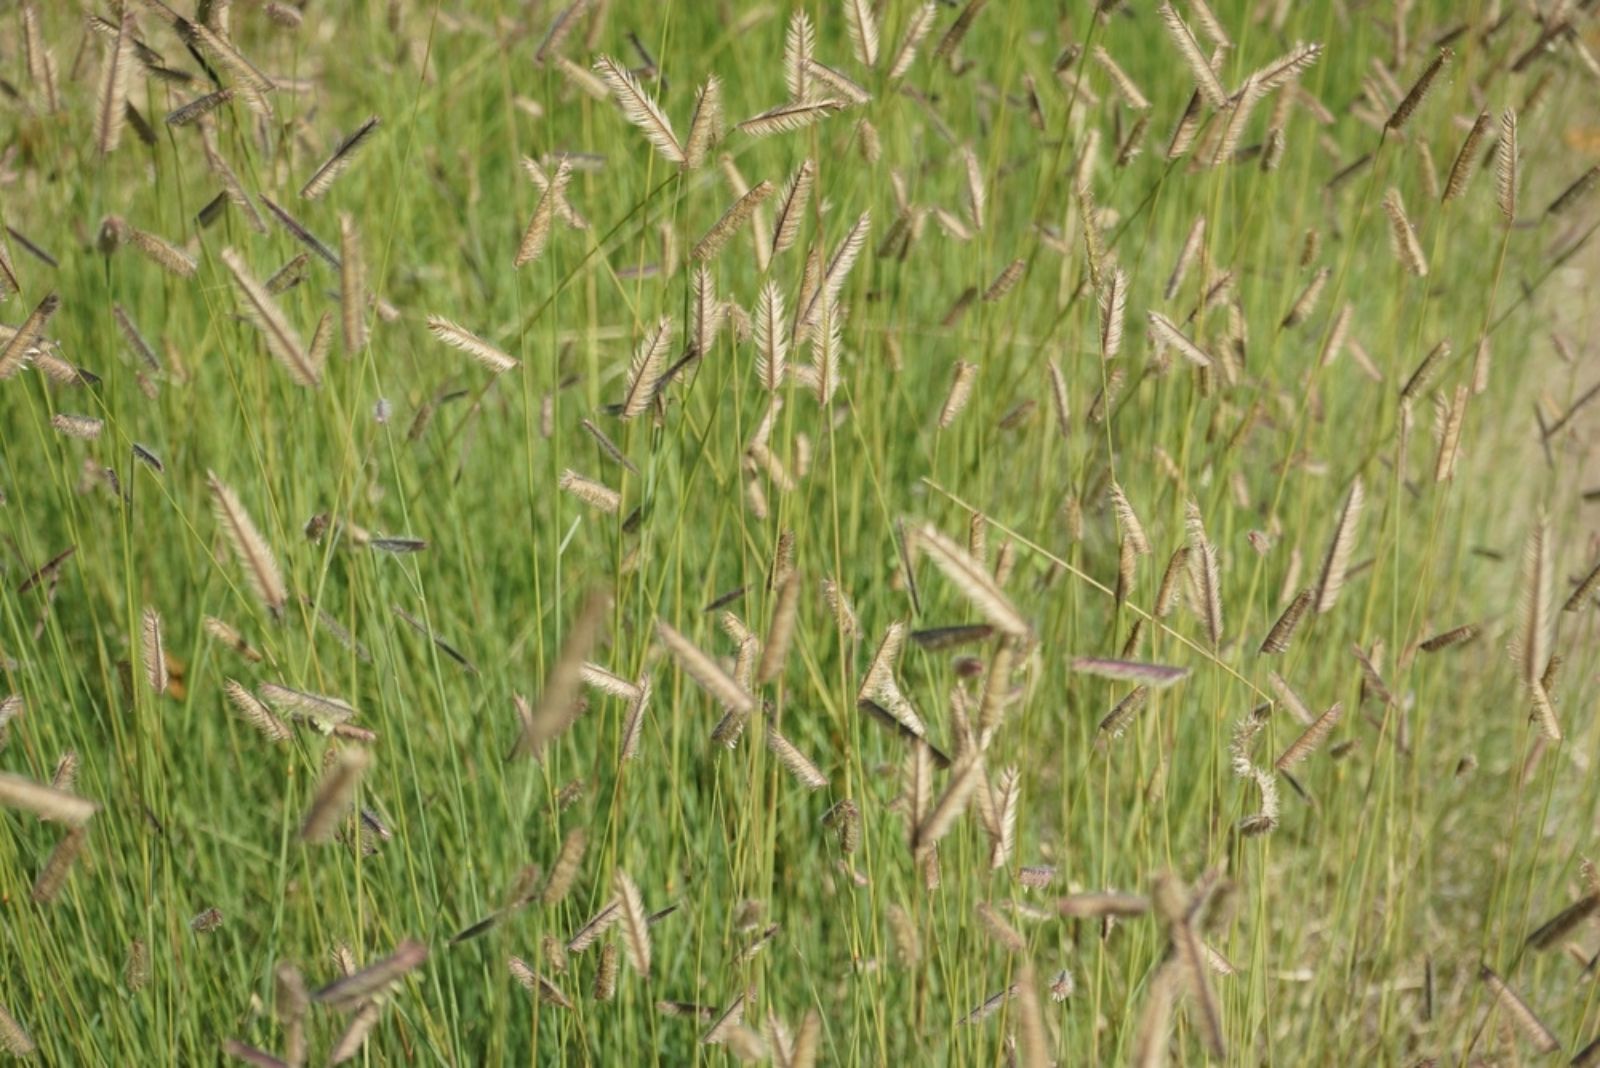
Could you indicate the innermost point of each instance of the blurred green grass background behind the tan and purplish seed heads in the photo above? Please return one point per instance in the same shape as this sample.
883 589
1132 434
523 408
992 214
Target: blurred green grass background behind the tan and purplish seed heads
1393 863
